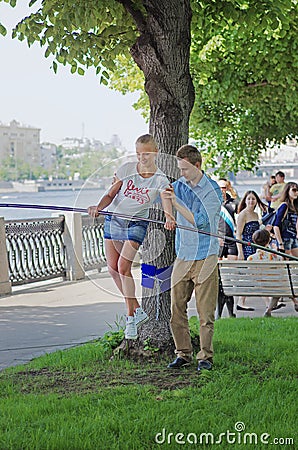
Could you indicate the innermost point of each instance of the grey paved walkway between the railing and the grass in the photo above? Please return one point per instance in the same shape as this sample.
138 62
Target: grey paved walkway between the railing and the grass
56 315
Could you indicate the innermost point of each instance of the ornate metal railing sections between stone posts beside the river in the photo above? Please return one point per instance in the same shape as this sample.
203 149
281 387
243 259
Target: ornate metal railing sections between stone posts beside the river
37 250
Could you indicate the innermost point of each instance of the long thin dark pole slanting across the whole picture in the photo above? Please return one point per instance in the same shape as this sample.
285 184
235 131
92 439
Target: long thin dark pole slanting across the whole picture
160 222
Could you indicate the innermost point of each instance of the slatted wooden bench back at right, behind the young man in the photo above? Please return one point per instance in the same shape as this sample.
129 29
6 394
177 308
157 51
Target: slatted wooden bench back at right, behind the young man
259 278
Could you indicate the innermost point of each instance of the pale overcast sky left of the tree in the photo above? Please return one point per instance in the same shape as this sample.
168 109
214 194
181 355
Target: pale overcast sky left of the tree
63 104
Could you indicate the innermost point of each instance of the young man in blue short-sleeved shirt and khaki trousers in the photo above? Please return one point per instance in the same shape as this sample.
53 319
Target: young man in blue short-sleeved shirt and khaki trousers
197 199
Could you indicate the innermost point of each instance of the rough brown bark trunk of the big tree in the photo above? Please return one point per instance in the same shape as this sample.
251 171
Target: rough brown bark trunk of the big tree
162 52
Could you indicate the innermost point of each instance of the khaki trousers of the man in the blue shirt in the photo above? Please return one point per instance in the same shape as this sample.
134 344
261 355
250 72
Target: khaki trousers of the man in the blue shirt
201 276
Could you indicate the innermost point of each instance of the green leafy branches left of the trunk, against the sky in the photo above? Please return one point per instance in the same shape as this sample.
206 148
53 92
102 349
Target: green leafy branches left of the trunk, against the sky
80 34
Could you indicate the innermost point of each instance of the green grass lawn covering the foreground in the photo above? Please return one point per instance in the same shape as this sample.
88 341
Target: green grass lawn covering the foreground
83 399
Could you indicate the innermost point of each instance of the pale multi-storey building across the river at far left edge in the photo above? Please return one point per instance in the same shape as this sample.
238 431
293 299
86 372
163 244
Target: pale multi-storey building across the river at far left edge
20 142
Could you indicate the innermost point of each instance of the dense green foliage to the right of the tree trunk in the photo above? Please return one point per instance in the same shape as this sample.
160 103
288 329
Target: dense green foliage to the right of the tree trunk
243 61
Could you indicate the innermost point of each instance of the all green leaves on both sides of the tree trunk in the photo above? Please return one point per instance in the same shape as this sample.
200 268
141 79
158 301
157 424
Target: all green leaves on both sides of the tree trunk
243 63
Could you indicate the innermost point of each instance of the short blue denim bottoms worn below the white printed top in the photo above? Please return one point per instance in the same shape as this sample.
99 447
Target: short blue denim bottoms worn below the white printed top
119 229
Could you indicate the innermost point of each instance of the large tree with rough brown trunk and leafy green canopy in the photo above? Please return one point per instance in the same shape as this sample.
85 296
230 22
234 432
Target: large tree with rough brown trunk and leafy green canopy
208 54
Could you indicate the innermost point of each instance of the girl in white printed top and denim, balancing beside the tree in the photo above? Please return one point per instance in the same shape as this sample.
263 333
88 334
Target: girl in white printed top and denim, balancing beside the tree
136 187
